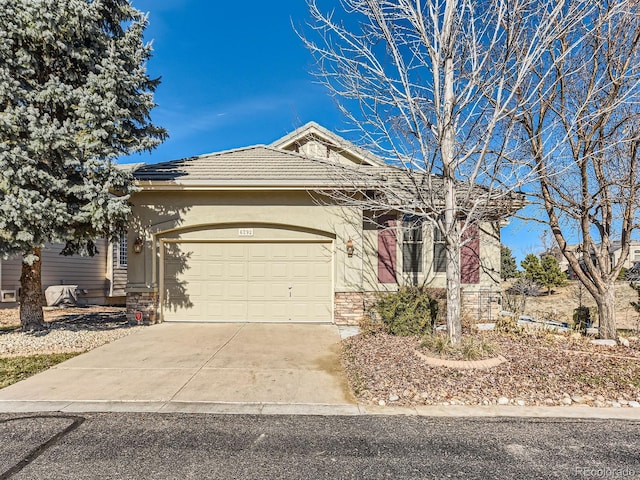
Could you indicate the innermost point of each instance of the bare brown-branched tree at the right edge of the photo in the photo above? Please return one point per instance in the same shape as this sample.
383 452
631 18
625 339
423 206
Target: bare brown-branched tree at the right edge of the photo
581 123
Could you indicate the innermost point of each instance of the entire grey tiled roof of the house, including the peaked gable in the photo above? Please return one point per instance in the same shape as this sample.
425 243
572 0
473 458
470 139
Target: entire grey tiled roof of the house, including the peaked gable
276 167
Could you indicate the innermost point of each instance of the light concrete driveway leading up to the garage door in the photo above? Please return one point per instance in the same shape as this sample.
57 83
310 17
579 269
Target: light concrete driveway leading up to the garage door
191 363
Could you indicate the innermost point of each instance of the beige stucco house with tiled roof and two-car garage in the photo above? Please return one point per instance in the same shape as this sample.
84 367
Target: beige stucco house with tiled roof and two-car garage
255 234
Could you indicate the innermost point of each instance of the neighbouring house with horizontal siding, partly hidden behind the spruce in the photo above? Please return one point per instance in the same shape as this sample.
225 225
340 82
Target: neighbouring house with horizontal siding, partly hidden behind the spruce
101 279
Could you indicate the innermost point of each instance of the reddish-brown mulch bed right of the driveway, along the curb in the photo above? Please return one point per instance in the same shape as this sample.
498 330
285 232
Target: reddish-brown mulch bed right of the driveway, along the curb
541 369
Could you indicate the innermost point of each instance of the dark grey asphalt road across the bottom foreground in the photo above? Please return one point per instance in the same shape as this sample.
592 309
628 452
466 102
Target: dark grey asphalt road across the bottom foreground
184 446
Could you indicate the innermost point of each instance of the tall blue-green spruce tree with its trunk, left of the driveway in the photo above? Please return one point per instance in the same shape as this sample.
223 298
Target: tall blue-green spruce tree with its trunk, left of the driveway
75 95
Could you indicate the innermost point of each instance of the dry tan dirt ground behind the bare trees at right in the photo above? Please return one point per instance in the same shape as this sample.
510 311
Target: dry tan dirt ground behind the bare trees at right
561 303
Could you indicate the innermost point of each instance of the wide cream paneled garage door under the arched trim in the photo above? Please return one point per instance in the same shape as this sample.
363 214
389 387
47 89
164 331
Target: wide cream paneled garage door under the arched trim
258 282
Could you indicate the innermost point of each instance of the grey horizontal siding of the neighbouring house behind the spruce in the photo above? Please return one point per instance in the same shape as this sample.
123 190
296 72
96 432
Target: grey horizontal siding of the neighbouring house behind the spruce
89 273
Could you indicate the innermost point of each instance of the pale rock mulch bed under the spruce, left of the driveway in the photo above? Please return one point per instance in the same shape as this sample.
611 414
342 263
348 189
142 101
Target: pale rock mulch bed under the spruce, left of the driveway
76 329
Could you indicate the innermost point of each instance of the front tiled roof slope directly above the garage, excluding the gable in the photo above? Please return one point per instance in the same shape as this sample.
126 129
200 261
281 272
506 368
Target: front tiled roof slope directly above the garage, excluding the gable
255 166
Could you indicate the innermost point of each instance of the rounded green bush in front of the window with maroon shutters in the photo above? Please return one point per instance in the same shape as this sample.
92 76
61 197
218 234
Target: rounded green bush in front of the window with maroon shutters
409 311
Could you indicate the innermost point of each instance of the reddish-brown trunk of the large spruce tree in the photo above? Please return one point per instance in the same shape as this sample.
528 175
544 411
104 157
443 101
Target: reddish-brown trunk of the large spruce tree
31 297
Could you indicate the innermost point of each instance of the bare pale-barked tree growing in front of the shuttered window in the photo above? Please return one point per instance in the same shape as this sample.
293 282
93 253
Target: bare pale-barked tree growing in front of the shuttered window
431 86
